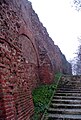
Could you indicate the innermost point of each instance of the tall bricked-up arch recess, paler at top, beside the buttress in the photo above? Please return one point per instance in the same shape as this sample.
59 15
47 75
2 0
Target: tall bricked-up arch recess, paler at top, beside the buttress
31 59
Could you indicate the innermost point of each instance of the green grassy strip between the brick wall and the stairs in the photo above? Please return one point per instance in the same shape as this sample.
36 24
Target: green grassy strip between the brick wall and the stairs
41 97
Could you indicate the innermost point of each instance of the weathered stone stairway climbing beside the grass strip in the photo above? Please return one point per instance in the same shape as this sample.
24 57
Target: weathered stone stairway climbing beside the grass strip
66 102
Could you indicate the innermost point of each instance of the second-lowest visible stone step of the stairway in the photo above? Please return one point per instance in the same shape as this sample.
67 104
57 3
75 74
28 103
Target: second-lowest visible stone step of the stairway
64 111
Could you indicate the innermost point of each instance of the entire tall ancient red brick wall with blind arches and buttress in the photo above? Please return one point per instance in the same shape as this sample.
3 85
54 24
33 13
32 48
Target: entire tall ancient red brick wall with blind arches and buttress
28 58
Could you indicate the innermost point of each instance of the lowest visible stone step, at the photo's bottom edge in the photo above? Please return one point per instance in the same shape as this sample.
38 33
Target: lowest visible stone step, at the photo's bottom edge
64 116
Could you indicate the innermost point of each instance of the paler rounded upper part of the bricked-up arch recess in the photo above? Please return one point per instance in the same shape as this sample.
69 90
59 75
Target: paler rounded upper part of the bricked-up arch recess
28 50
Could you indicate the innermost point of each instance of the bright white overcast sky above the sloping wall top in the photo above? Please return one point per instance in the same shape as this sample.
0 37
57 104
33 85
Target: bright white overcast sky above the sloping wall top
62 22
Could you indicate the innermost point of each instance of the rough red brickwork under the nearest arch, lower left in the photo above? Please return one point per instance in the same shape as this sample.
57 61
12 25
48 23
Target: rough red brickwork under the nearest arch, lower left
16 99
